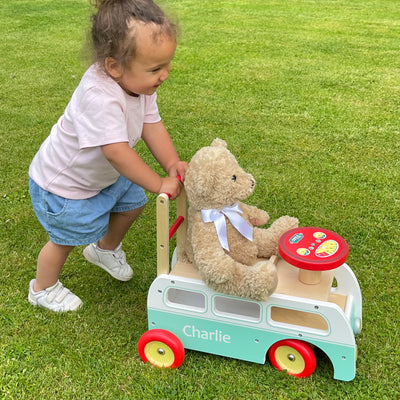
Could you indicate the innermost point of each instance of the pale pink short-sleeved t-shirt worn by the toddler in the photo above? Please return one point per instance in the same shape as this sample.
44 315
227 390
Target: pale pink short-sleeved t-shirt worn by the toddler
70 162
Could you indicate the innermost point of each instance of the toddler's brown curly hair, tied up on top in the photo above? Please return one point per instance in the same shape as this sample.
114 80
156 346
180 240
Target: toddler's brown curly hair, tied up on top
113 29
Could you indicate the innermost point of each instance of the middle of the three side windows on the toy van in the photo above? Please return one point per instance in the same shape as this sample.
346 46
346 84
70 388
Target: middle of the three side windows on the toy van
237 308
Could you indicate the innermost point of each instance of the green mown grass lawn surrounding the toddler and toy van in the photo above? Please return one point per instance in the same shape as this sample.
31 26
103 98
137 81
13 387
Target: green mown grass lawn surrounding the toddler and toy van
307 95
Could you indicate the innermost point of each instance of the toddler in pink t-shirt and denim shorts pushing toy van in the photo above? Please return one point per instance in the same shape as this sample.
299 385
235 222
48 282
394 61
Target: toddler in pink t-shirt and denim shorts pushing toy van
86 181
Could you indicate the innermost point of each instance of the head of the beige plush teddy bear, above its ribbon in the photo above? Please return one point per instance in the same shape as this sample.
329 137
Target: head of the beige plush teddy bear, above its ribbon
214 179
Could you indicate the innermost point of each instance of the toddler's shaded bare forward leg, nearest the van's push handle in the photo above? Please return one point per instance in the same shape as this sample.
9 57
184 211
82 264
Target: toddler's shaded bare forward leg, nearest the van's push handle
118 227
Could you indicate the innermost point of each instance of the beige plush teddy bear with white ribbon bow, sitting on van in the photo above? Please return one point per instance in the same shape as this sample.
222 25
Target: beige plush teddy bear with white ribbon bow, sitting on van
223 238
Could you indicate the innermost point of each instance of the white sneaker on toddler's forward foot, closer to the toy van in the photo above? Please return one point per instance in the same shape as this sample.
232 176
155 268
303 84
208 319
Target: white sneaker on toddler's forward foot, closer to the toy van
112 261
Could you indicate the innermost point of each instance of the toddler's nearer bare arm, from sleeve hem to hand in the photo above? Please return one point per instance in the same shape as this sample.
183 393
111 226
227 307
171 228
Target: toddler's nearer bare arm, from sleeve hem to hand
129 164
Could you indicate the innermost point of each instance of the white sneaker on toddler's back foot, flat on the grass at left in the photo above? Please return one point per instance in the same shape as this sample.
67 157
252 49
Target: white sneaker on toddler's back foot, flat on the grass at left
56 298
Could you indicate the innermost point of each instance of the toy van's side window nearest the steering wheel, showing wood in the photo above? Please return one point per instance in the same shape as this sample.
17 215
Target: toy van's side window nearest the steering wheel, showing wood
292 318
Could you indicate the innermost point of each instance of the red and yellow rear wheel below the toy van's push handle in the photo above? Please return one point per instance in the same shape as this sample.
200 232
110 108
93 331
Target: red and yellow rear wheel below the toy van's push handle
161 348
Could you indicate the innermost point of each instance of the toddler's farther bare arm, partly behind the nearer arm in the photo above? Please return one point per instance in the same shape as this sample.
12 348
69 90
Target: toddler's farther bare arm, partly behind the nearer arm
160 144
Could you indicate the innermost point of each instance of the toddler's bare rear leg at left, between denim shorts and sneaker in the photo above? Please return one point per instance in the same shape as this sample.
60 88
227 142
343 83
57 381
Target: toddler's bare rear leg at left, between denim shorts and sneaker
51 259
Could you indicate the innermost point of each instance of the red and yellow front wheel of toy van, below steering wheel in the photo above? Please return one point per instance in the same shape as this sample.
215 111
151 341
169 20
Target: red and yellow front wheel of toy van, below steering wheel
294 356
